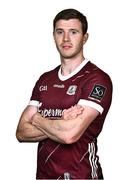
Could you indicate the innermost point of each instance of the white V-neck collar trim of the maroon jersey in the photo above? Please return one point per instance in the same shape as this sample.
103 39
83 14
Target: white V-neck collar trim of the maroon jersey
63 78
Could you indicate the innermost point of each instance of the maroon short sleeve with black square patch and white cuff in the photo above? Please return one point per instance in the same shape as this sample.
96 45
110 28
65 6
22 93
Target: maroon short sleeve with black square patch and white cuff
97 92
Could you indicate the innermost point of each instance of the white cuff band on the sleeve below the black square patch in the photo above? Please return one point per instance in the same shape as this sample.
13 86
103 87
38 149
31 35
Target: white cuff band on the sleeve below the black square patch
91 104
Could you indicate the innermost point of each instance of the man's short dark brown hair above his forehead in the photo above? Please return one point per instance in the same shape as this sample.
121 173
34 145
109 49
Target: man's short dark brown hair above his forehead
72 14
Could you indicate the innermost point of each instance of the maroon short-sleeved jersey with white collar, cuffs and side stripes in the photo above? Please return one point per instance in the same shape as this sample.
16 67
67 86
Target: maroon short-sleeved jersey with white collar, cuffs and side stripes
86 85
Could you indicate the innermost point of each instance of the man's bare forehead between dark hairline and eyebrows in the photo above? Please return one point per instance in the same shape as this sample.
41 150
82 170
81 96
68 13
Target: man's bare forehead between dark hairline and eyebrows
68 24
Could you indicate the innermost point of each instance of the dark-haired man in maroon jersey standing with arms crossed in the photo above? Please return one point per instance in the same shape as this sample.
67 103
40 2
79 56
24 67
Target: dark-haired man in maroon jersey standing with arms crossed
68 107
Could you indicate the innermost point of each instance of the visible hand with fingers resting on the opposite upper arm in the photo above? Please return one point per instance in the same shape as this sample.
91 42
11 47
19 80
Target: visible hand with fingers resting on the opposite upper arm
72 112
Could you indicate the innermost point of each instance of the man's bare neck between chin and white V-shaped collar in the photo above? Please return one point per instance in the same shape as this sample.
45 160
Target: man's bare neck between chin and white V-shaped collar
69 65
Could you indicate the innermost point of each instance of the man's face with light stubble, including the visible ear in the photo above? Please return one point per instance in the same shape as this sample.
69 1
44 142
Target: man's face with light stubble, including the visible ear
69 37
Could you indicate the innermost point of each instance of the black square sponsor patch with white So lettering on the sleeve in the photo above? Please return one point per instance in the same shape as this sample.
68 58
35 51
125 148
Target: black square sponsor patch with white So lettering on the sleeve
97 92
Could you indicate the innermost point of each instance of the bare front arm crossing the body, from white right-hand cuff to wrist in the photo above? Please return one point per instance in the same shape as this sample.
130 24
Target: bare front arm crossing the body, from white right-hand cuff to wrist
66 131
